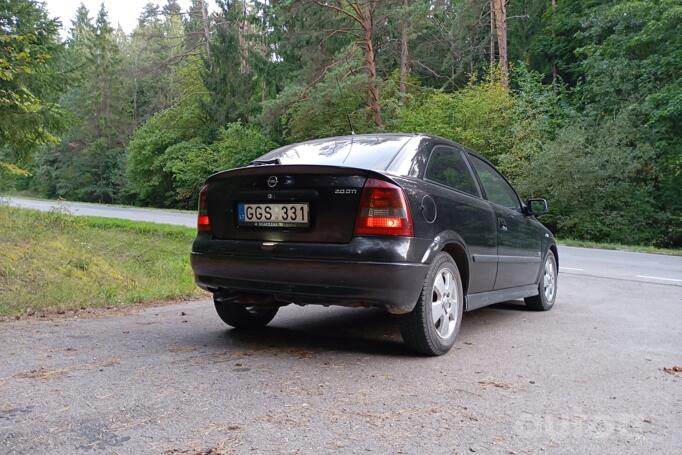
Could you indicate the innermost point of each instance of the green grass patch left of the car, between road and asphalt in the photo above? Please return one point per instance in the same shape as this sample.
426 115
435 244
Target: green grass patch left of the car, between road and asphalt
55 262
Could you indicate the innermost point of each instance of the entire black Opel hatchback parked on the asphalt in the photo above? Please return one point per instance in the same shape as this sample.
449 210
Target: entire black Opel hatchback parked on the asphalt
414 224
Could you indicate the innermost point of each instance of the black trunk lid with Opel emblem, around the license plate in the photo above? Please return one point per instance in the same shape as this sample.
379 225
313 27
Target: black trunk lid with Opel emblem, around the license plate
331 194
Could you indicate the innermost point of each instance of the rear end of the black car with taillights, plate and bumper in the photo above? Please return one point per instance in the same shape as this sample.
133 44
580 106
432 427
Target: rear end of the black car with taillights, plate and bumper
310 234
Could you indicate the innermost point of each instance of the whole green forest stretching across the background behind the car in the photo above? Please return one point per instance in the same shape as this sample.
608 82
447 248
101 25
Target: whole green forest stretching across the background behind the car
577 101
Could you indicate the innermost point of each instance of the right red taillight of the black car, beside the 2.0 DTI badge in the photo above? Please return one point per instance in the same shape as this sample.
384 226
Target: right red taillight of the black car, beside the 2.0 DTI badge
383 210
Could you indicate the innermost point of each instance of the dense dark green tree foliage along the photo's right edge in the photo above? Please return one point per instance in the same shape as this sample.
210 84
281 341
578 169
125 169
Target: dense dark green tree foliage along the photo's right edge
628 101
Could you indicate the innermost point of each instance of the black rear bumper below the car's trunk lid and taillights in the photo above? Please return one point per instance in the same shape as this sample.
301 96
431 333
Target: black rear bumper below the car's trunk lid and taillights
393 286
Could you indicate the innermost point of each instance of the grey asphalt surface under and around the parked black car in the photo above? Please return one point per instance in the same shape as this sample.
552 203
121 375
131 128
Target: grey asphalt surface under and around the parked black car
587 377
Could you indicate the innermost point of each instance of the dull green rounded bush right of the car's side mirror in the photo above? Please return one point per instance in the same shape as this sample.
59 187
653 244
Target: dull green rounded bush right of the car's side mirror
599 183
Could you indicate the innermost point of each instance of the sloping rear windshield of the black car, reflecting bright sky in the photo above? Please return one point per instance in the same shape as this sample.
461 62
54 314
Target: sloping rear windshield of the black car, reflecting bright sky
374 152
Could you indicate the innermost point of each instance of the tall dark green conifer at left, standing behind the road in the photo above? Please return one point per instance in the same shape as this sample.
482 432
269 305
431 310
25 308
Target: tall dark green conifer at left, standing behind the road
89 164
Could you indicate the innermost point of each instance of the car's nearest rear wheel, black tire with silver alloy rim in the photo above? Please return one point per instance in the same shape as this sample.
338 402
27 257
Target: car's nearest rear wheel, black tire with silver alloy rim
419 330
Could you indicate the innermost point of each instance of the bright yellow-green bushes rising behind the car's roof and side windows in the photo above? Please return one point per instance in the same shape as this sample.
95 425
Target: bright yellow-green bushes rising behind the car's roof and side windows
506 126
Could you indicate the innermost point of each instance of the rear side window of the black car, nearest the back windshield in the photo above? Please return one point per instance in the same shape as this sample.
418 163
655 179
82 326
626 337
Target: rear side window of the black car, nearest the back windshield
447 166
